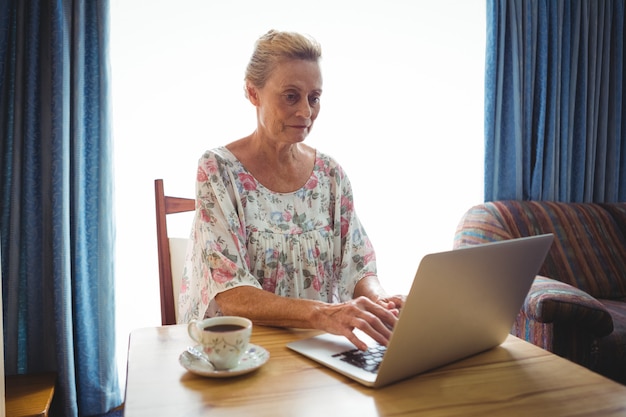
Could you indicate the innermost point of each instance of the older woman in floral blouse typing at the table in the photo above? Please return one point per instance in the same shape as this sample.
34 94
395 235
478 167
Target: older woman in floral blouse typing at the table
276 237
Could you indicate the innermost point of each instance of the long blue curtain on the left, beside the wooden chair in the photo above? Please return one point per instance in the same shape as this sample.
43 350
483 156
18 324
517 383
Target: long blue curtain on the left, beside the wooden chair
57 225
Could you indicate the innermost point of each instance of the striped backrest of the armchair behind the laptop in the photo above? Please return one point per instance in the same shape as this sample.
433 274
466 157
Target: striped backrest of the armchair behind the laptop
589 251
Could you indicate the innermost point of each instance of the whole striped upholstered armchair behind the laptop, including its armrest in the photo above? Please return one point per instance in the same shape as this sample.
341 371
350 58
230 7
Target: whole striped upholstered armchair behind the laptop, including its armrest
574 311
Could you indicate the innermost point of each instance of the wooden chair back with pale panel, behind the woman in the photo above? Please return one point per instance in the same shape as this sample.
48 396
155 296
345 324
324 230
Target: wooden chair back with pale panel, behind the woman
171 251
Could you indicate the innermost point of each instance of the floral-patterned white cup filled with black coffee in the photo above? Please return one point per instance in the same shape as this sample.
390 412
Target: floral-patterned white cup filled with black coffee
223 339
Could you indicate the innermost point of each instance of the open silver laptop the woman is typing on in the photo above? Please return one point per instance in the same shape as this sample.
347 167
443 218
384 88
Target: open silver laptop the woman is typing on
461 302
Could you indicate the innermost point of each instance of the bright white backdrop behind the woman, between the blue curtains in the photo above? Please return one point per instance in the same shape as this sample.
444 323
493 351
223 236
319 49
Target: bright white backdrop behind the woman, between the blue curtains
402 110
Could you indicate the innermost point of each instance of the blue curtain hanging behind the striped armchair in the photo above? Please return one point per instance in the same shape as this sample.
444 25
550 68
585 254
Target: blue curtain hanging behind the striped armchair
554 104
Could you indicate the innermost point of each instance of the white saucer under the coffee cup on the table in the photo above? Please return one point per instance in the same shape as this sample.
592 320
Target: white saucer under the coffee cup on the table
254 357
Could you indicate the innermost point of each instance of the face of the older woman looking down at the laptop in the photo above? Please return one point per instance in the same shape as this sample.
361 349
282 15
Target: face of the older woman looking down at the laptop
289 102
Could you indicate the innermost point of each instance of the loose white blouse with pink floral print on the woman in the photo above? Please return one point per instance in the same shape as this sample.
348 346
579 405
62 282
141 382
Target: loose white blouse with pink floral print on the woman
304 244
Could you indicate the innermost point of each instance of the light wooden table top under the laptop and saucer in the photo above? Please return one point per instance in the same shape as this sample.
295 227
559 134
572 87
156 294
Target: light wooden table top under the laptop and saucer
516 378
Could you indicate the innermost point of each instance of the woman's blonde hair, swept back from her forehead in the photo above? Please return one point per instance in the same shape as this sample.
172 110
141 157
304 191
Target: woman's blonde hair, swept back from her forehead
276 46
